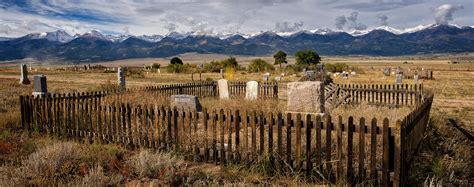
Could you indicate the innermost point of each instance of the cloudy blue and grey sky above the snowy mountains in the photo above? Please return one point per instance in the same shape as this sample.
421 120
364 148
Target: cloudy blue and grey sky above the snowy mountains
147 17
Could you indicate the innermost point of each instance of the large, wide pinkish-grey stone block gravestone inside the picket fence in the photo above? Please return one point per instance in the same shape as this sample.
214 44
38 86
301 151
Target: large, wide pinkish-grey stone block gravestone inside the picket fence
306 97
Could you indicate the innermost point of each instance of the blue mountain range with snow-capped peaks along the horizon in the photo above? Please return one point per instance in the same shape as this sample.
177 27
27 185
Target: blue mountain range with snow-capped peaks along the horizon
382 41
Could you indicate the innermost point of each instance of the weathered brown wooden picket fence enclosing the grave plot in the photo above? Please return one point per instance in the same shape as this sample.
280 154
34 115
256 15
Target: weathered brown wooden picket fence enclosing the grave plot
340 149
